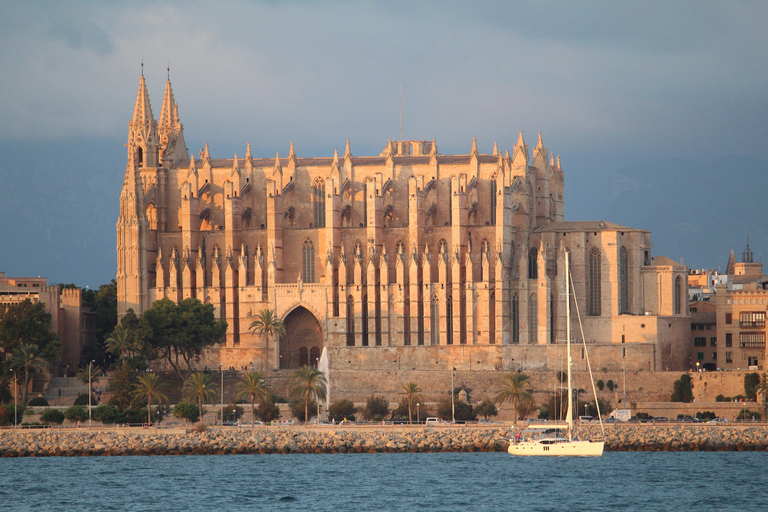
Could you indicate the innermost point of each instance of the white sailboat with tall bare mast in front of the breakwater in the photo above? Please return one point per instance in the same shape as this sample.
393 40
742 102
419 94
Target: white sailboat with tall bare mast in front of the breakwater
553 439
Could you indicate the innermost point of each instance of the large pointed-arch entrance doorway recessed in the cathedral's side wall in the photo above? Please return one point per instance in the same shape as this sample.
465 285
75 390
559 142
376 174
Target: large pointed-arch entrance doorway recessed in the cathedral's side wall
303 340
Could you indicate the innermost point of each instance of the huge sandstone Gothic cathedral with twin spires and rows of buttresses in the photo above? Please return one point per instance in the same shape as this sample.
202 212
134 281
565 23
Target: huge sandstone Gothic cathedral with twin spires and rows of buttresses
409 259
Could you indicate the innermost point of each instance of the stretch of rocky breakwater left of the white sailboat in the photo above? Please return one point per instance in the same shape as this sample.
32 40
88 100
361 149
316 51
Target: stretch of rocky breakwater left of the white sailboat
44 443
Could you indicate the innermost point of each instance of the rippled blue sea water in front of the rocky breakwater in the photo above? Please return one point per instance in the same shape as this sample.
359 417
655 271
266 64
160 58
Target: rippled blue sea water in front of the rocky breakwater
729 481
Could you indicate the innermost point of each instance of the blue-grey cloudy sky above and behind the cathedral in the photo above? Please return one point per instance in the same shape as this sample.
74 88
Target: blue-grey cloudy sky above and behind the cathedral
657 109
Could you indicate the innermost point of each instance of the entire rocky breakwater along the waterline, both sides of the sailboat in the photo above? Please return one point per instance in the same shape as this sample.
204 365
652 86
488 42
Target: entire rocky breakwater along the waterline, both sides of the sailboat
263 440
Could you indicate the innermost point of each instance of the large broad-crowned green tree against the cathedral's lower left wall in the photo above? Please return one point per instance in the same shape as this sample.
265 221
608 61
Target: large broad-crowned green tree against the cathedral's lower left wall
180 332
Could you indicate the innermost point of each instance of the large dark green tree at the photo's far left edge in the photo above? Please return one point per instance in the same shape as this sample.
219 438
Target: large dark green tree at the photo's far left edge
27 323
